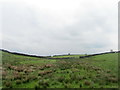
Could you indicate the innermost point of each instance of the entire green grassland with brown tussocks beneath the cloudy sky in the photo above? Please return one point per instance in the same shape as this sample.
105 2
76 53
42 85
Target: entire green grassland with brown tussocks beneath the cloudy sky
31 72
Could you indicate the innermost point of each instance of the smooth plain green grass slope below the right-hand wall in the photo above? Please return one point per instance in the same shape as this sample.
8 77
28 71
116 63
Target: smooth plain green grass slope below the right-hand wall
107 61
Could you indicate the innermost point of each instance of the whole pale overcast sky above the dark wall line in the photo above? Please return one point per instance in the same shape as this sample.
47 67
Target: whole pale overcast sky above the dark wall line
47 27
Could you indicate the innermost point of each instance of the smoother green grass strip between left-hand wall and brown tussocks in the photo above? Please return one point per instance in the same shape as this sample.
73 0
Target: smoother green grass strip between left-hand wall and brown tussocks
18 59
